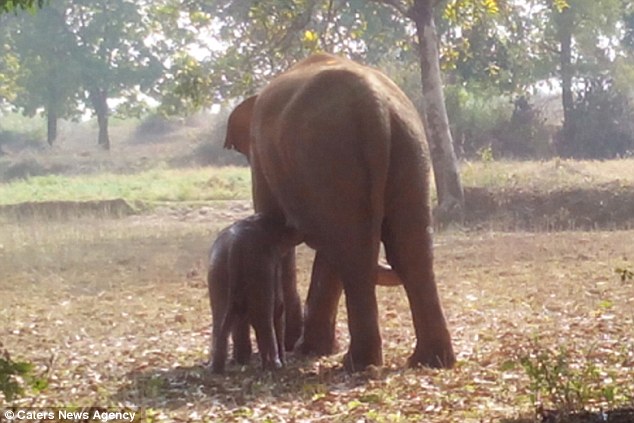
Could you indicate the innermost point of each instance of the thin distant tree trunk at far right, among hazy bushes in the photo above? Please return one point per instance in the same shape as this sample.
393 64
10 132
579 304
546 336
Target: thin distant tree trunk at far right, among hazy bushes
564 22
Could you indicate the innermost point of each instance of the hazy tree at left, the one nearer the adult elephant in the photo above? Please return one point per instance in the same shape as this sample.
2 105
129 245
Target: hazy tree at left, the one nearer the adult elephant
113 54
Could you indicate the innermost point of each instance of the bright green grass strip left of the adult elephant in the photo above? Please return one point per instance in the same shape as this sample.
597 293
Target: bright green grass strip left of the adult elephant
199 184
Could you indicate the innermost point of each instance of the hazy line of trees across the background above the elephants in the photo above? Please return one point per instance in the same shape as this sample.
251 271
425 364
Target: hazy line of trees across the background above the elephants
498 59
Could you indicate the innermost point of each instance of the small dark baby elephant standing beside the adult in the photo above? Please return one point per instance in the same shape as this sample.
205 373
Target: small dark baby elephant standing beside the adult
245 289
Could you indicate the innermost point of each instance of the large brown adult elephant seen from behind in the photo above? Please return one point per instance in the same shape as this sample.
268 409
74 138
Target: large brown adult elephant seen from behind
339 151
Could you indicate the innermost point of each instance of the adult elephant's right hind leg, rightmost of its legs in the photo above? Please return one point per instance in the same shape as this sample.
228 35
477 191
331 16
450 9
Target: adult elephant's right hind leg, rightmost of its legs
407 236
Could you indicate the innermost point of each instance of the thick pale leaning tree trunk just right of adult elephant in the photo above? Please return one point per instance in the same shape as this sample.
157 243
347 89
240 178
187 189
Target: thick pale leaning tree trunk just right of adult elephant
444 162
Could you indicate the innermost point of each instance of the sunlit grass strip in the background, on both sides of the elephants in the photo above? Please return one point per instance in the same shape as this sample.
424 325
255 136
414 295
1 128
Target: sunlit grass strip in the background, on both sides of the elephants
209 183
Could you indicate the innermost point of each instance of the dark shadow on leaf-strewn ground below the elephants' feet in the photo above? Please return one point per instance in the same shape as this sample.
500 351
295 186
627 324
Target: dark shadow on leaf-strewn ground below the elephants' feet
301 379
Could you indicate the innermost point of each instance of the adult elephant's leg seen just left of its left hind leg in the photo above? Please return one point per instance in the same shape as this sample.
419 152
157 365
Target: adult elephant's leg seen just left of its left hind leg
324 293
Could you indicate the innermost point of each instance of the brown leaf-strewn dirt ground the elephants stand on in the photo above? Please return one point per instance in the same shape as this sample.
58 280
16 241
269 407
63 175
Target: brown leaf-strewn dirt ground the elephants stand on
114 313
